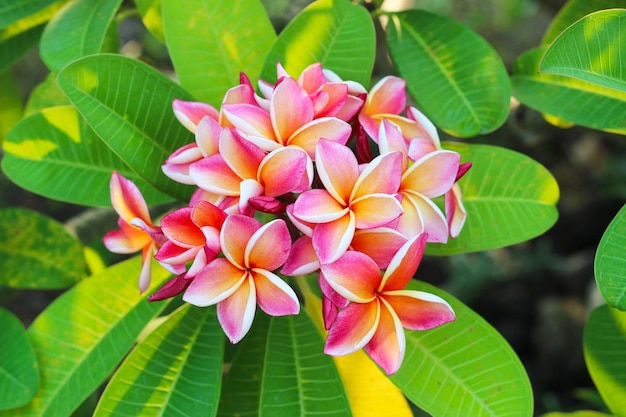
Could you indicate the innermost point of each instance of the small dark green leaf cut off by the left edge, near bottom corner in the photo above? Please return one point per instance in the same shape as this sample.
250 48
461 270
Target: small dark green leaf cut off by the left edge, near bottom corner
19 374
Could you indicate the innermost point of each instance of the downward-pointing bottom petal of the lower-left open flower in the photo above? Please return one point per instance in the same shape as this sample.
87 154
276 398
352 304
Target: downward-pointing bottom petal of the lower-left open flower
236 313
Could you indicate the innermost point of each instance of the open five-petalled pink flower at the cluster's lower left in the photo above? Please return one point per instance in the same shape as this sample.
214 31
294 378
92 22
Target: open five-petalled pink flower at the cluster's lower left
243 278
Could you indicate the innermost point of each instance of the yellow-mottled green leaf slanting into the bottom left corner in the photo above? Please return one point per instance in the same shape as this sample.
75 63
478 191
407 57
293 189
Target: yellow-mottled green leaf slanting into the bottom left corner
85 333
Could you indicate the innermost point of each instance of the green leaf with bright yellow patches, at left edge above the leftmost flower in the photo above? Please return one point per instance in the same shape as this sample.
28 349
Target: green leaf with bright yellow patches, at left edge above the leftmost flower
55 153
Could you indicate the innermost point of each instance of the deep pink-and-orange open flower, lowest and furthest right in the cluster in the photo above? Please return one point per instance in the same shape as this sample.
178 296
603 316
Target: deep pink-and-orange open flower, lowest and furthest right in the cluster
379 305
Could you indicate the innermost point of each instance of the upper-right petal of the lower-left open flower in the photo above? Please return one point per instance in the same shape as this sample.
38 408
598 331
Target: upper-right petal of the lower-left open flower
268 248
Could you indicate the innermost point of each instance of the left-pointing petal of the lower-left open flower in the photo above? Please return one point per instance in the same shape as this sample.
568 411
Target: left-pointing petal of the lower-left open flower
214 283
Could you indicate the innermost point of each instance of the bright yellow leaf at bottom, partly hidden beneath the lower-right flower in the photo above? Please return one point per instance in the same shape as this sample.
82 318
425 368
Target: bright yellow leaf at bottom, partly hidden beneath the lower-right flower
369 391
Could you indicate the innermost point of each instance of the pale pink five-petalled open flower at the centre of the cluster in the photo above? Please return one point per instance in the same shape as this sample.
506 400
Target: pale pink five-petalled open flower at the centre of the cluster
351 199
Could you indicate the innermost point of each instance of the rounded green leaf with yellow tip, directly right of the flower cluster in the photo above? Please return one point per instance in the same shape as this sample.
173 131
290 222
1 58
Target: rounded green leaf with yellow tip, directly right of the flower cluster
509 198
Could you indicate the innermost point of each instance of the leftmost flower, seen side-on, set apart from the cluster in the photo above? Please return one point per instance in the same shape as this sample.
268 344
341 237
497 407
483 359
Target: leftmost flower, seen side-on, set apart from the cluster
137 233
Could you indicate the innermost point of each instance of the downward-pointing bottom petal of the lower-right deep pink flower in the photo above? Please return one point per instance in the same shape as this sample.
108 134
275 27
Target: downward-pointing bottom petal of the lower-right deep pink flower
388 344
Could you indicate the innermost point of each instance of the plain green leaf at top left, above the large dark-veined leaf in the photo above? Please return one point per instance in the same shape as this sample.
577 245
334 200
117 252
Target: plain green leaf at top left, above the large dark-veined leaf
78 29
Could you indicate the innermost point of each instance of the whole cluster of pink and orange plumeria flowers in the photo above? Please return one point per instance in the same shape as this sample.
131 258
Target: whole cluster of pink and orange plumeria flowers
308 175
